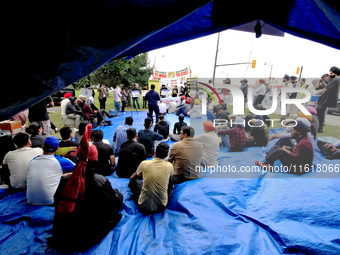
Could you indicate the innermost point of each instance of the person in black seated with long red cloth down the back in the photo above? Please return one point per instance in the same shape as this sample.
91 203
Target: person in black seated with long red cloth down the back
86 205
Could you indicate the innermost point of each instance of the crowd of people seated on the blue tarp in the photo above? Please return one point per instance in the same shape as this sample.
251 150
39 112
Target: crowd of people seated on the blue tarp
70 174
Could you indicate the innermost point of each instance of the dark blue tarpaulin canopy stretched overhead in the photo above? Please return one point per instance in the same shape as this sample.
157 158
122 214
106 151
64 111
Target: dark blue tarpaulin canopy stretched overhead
58 43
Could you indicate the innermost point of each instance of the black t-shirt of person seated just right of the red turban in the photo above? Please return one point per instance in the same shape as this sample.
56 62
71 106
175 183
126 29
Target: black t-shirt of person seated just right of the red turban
104 153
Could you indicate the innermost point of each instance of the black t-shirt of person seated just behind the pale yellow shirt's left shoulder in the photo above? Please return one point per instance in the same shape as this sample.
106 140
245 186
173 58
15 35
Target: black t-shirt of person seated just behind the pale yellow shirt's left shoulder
130 156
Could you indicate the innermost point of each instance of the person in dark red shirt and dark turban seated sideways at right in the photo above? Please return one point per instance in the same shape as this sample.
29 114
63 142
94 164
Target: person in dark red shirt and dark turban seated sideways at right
297 159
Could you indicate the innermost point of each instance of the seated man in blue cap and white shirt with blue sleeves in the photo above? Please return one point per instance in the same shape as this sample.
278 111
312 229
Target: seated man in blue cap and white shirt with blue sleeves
44 173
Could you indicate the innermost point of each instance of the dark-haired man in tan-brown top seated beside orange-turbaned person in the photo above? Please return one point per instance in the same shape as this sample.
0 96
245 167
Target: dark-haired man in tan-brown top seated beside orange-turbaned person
186 156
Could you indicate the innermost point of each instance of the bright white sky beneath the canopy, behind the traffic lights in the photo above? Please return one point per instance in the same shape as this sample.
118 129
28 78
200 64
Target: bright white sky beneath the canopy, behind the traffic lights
285 54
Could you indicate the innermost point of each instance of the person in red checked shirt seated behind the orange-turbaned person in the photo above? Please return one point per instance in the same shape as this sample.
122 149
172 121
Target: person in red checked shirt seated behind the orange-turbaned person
234 138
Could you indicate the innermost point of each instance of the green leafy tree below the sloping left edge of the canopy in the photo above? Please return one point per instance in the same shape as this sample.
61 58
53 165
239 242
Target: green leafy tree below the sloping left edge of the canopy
120 71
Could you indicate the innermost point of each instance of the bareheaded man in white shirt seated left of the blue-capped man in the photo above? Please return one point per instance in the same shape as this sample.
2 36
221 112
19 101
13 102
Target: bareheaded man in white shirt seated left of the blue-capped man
17 161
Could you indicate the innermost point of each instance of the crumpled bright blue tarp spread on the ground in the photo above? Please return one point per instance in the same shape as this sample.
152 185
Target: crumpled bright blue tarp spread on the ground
270 213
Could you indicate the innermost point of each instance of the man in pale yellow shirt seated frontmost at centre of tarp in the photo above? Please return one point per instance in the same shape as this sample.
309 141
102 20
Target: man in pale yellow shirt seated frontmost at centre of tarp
152 195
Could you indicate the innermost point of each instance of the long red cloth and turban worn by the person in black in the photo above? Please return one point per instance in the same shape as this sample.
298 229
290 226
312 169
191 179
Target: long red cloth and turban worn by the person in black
75 188
